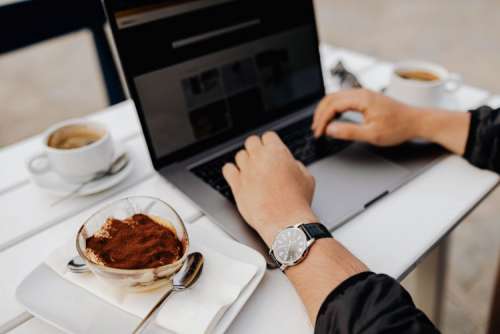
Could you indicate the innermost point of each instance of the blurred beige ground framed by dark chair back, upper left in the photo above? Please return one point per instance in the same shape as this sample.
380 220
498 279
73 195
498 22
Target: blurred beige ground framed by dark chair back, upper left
48 83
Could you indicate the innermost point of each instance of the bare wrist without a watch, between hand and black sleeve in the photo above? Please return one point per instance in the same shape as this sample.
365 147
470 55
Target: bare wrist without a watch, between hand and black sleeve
446 128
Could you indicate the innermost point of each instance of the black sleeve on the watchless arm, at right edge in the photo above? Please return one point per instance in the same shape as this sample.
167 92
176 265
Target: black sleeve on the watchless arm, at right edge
483 144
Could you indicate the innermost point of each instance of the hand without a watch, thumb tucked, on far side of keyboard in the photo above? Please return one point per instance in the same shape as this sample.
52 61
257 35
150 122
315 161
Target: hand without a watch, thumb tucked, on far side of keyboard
386 121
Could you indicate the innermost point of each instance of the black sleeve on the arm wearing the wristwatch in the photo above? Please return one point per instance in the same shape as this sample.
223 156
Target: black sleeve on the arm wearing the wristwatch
370 303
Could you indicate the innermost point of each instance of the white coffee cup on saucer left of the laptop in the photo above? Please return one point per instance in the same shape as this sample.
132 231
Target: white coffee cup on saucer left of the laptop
75 165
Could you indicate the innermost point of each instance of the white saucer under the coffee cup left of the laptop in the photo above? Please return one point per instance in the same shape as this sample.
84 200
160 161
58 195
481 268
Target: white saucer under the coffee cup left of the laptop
51 182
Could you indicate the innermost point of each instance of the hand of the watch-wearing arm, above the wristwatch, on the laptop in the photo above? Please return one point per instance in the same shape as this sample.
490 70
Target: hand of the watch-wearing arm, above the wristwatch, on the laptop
272 189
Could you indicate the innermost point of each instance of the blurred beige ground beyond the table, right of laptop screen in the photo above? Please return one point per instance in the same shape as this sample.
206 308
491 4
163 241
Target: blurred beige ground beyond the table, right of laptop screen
460 34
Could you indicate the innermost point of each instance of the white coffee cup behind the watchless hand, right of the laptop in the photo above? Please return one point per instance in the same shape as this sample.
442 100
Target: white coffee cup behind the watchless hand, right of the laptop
422 93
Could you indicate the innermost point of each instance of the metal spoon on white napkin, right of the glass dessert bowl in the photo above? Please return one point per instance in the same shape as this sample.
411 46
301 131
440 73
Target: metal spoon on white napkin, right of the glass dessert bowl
186 277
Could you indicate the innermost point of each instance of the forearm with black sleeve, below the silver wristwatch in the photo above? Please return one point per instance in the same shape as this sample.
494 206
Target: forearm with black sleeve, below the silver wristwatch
334 282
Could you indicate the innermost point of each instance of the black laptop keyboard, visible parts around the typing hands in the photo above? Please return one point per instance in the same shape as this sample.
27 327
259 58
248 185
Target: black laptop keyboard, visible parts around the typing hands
299 139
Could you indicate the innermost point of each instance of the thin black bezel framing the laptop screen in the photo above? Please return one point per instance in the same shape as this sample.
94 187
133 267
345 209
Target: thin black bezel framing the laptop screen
198 147
